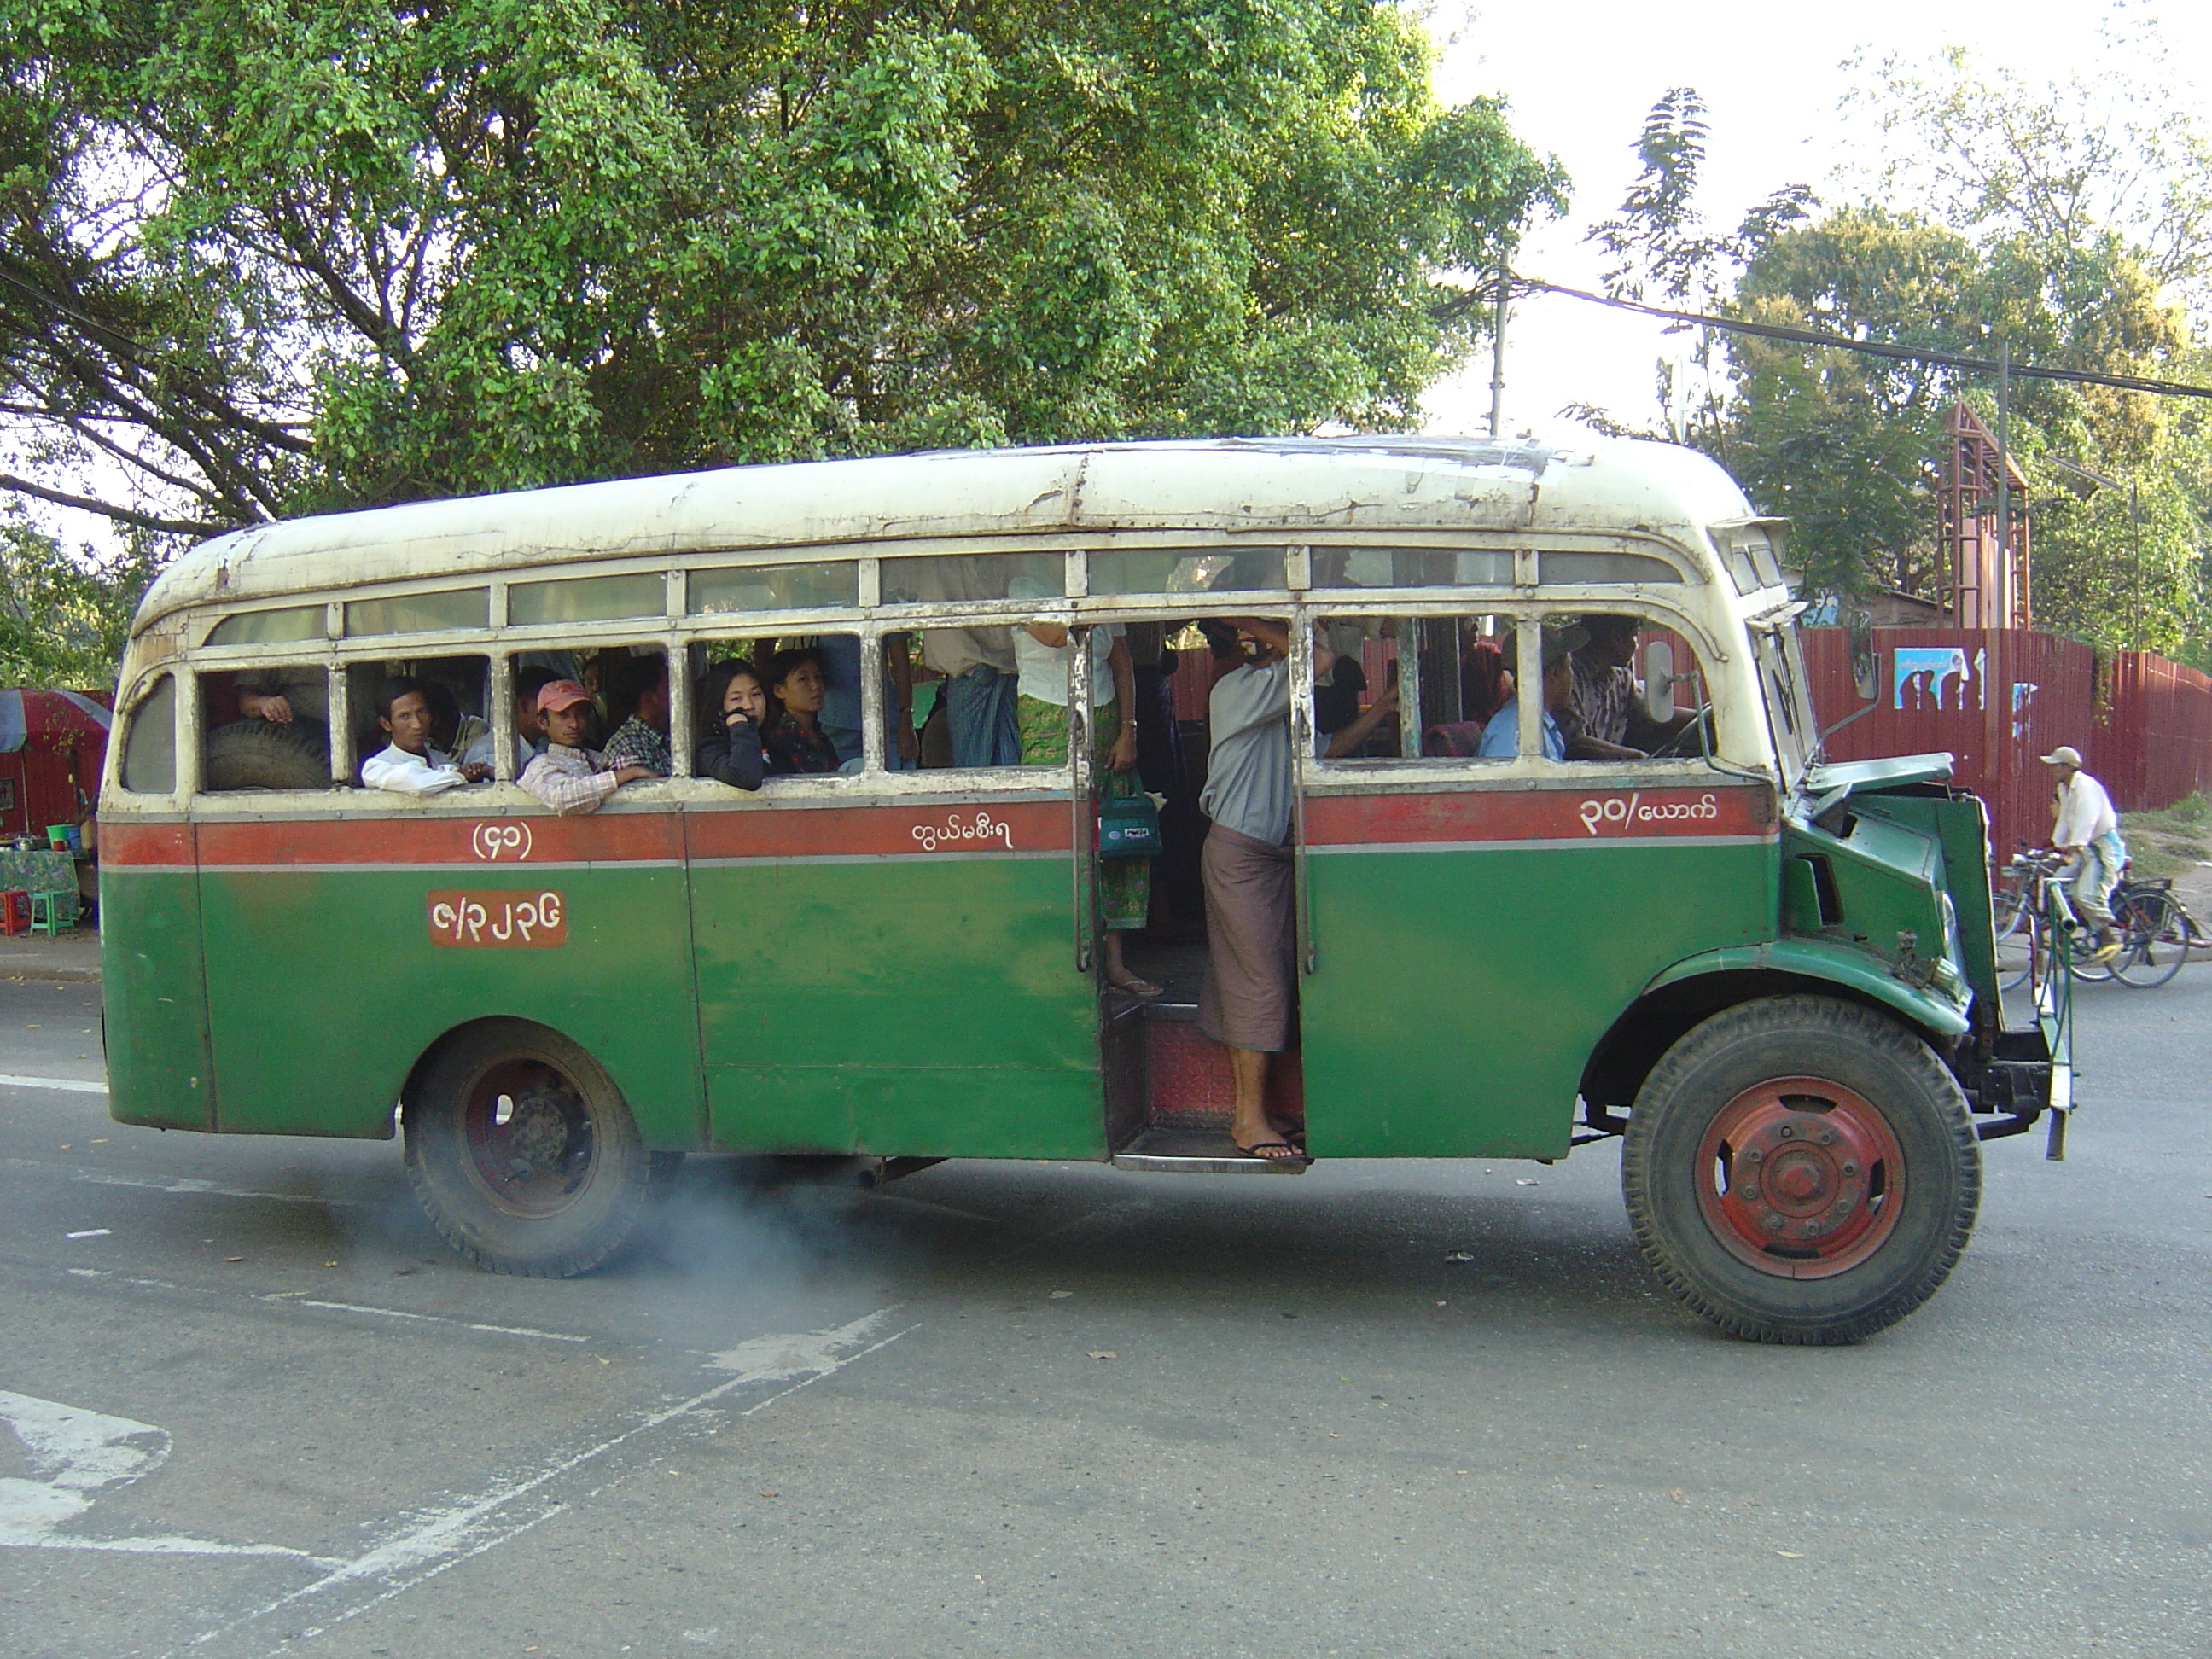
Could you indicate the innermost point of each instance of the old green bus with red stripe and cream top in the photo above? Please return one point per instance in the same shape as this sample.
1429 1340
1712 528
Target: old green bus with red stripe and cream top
1771 974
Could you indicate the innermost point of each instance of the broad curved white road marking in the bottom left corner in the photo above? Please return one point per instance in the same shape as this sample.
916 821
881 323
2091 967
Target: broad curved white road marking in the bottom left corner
81 1457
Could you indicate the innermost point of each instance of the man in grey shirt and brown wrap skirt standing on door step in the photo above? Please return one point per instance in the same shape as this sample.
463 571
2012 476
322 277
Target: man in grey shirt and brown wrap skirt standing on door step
1251 999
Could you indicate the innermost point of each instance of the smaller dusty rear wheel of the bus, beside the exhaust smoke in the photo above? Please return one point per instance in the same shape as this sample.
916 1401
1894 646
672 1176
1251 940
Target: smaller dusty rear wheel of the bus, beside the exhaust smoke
523 1151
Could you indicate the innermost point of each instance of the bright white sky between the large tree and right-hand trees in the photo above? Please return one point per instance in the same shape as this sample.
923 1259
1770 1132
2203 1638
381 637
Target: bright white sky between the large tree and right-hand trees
1578 81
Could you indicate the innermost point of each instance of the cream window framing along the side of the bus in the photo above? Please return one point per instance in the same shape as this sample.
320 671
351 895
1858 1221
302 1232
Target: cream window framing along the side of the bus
674 634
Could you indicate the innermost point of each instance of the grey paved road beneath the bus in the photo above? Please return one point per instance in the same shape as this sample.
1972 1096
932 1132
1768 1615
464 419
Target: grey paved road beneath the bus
1045 1410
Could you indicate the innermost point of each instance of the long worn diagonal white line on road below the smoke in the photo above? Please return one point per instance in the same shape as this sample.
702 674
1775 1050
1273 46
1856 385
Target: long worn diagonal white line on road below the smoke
448 1536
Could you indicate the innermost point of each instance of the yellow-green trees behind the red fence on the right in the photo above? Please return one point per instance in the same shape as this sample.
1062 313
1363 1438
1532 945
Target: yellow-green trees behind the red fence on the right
1846 444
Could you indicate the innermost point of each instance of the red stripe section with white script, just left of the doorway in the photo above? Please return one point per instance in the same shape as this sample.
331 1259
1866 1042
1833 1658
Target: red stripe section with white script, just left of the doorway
879 833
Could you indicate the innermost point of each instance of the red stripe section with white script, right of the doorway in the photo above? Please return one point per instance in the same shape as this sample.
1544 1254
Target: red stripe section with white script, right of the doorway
1536 815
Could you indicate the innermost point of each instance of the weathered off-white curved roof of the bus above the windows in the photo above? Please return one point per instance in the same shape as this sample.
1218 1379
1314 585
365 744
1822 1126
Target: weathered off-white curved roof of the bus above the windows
1260 486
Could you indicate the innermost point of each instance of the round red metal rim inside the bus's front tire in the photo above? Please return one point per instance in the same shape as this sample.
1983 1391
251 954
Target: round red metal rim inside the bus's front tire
1802 1178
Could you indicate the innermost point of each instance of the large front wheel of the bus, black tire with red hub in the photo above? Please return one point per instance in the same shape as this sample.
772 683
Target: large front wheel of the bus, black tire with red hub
1819 1058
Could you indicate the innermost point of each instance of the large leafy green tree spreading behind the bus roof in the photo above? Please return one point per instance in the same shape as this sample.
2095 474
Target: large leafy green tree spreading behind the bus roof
282 255
